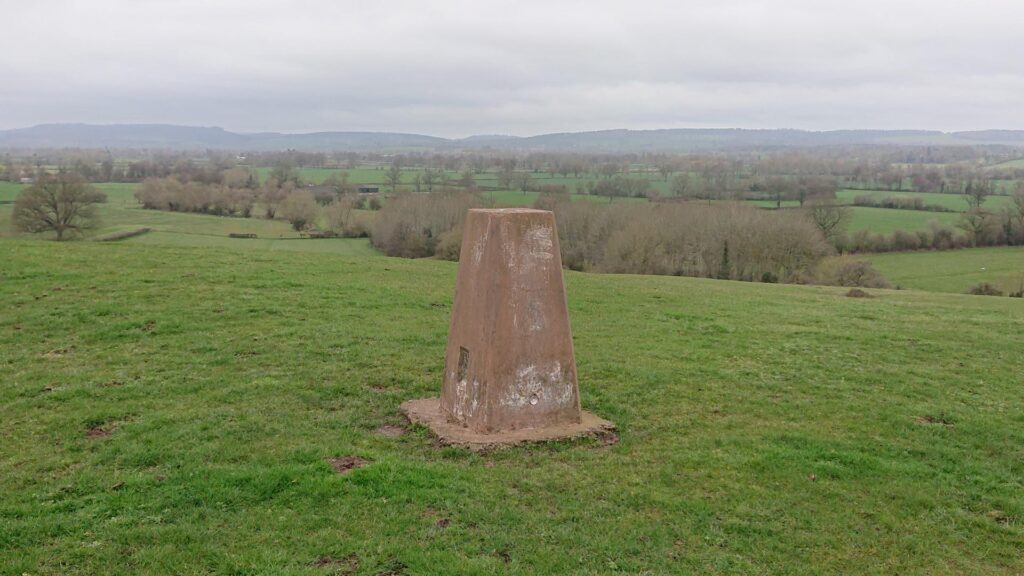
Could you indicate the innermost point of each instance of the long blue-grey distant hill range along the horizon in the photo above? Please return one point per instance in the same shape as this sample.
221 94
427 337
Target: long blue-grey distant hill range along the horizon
166 137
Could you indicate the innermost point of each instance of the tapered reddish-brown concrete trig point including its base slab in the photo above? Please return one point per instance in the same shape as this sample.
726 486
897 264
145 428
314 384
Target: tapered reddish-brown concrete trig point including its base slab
509 368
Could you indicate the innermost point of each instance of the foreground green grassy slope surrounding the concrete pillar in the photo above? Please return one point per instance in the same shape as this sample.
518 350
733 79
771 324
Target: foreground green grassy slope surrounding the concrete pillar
228 381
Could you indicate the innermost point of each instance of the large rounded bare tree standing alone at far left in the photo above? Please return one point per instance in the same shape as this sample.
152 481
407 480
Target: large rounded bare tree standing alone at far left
63 203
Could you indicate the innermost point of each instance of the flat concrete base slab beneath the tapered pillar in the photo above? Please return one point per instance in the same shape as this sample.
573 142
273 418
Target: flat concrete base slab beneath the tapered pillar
429 414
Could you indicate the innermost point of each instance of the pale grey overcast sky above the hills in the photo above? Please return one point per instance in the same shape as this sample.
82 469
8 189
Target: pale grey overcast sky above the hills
454 69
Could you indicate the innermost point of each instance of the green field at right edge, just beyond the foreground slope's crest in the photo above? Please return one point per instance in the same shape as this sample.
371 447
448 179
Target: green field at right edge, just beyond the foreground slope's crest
954 271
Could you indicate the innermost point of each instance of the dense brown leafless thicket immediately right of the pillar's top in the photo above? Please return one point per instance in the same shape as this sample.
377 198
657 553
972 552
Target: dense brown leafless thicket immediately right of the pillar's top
730 241
